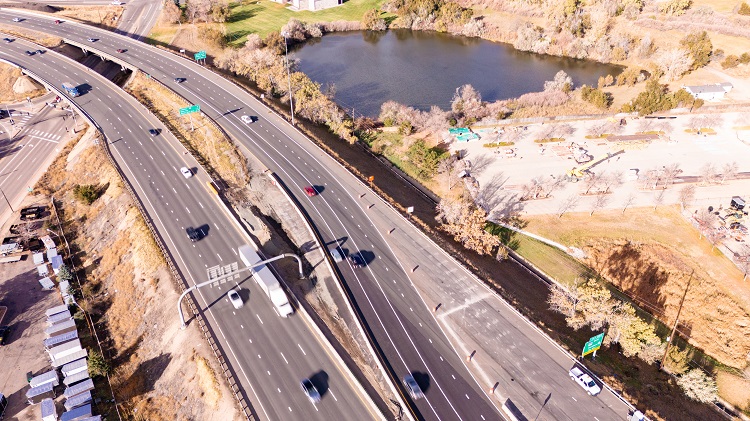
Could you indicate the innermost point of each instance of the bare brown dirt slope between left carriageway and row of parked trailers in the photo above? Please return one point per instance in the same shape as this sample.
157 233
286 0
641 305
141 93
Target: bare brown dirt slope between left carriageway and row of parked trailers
161 372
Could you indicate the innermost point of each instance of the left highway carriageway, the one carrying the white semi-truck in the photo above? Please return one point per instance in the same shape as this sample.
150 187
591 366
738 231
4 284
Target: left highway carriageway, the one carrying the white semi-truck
269 354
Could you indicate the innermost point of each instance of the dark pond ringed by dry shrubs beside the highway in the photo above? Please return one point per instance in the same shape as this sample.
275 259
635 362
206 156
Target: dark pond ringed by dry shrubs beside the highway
421 69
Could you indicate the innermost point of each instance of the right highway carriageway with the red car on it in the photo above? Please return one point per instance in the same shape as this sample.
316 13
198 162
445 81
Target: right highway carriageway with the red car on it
403 326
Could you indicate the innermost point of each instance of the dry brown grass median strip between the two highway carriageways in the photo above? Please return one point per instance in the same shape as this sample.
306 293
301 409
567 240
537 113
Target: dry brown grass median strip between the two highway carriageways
206 141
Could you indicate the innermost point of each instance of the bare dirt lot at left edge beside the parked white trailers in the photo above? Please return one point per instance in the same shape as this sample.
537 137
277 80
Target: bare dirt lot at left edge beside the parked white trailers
24 351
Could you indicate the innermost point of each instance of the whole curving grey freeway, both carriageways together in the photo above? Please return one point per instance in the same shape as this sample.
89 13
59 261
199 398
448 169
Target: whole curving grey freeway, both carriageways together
401 323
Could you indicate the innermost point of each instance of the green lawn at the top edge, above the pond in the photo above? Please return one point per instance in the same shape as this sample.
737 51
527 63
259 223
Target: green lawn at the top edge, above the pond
263 16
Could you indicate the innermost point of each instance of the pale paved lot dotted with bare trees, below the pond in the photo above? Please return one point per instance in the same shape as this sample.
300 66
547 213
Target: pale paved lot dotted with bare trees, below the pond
690 151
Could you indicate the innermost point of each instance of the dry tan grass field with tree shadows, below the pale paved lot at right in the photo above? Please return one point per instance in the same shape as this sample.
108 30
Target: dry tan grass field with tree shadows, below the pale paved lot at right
650 255
